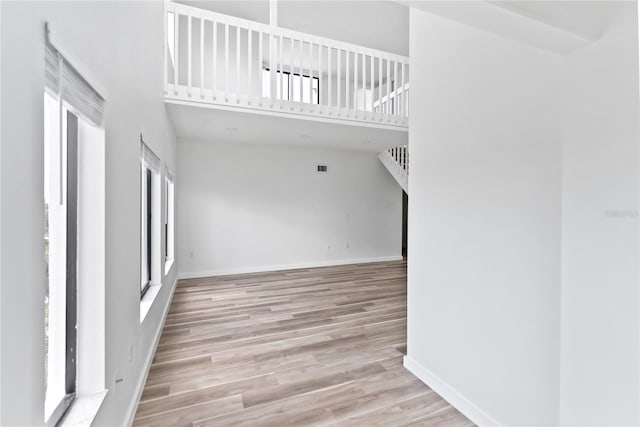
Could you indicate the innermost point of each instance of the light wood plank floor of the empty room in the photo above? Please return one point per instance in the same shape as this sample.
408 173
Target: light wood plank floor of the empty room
319 346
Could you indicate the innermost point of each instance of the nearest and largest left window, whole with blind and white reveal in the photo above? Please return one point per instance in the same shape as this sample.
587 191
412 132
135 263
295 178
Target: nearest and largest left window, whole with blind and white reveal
74 221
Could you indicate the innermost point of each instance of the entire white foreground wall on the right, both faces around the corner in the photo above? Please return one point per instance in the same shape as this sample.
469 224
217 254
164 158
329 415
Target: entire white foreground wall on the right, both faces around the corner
523 261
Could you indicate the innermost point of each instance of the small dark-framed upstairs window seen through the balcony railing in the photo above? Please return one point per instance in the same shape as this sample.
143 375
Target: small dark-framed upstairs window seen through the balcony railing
295 87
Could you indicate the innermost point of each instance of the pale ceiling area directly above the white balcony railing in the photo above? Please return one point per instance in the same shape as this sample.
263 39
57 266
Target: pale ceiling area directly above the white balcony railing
377 24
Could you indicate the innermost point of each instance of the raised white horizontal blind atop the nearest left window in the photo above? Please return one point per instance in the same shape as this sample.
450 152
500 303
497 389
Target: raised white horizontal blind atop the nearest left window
62 79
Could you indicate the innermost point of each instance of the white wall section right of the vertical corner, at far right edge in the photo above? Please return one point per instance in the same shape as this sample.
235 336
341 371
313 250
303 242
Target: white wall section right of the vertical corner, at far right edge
600 323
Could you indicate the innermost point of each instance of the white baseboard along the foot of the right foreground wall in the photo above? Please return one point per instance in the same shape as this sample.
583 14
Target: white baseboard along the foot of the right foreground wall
448 393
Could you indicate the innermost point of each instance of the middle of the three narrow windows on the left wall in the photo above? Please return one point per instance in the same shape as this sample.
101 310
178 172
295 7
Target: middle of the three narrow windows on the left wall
149 220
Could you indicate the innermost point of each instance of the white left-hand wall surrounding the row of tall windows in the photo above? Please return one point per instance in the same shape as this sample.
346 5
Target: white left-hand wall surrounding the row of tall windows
117 46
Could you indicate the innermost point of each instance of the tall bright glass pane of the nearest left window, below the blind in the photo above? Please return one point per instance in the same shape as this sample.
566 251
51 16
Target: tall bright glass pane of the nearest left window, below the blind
61 198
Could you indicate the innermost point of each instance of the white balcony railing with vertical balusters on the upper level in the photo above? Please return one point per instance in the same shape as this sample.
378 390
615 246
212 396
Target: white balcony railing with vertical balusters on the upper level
219 59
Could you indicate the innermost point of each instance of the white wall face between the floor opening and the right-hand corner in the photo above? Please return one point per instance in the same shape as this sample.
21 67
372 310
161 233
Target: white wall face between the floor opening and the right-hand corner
484 221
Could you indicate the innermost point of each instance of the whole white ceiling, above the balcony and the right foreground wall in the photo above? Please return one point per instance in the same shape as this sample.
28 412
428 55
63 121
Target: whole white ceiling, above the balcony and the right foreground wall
559 25
